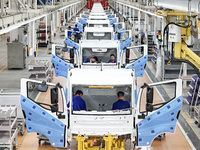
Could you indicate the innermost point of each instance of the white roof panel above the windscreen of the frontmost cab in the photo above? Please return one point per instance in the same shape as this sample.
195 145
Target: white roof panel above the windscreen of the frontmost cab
98 77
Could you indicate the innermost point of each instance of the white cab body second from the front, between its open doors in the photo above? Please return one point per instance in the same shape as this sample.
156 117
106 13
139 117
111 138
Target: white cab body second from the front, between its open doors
102 49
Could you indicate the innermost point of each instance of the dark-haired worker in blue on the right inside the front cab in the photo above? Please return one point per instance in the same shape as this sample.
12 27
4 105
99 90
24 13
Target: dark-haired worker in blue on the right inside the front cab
121 103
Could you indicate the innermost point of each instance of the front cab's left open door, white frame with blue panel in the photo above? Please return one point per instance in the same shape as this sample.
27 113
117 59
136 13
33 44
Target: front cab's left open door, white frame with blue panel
44 108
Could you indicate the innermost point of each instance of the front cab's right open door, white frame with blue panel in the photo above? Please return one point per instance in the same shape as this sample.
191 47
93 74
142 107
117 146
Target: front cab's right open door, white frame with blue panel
154 115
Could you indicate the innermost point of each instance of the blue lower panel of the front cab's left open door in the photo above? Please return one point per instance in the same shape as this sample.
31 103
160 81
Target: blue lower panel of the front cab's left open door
40 121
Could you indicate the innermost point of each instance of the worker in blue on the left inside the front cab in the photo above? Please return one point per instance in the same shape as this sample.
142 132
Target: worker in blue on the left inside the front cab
78 102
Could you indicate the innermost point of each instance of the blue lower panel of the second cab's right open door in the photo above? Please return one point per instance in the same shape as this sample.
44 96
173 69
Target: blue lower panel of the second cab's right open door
138 66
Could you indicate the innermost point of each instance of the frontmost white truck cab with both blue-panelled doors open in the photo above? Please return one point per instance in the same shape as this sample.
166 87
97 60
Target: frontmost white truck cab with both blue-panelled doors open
99 126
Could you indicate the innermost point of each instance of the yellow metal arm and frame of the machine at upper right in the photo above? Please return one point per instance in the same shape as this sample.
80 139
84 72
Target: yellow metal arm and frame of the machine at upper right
181 50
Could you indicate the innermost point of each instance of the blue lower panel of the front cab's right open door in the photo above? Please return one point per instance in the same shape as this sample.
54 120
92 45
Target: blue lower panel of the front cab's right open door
161 121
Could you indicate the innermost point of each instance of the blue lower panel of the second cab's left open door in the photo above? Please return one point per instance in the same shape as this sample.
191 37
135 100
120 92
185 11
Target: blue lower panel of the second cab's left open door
61 67
